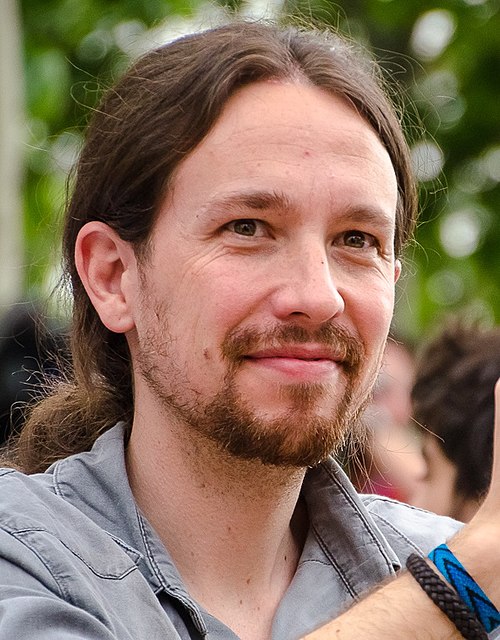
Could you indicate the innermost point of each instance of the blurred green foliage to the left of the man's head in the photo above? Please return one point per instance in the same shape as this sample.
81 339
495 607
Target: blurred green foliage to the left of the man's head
73 50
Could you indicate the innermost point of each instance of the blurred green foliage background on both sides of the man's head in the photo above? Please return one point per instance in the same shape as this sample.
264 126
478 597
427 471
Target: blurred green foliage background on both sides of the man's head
75 48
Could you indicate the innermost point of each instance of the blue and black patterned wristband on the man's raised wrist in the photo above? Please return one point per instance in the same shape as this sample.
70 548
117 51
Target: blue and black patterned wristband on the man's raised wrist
466 587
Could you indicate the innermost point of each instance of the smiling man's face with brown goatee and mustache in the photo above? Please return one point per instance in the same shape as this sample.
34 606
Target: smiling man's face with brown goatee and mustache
264 304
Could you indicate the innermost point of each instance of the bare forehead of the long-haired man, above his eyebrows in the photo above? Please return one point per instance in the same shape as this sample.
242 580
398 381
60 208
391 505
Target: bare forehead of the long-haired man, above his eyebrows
291 137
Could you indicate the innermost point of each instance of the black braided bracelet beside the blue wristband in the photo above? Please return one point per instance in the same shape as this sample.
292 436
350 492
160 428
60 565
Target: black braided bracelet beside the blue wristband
446 599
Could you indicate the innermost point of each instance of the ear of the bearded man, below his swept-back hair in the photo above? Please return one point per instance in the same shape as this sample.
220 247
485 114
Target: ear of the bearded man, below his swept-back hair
107 267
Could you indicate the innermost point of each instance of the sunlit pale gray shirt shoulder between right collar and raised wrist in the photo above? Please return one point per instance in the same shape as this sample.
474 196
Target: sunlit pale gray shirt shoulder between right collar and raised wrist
409 528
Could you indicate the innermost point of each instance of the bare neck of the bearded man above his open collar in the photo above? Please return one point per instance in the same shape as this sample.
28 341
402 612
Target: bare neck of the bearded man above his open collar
234 528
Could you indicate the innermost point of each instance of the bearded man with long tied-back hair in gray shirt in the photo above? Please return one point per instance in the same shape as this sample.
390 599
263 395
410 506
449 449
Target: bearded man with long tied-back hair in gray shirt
231 245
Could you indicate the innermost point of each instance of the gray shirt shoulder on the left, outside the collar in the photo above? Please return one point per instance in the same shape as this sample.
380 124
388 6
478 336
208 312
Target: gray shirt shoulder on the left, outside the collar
56 563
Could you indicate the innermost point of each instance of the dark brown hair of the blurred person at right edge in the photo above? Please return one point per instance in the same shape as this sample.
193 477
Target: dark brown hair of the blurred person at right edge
453 398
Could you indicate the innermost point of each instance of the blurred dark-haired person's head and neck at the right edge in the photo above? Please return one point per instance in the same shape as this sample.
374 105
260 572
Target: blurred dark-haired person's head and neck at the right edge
453 404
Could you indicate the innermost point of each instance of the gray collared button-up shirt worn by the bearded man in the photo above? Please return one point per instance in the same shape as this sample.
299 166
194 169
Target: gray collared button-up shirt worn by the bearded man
78 560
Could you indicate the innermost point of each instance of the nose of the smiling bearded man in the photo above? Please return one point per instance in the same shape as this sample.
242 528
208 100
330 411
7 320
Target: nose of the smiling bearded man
309 290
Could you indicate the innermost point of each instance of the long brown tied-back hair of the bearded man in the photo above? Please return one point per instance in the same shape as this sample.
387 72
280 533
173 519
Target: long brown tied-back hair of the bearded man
159 112
